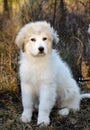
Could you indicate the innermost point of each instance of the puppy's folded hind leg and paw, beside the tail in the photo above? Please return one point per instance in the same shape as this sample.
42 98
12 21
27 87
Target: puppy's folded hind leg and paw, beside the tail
69 96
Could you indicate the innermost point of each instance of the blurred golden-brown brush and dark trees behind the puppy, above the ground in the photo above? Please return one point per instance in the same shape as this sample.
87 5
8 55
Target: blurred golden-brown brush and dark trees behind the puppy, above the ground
71 19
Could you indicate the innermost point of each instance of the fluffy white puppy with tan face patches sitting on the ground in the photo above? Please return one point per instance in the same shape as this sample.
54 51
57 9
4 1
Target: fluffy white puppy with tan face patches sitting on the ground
45 78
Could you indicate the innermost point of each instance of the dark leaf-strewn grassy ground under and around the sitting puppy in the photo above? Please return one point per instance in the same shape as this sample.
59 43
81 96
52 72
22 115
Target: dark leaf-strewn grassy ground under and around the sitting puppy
11 108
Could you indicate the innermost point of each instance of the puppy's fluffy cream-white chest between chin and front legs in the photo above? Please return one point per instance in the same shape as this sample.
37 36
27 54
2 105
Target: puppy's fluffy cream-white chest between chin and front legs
36 73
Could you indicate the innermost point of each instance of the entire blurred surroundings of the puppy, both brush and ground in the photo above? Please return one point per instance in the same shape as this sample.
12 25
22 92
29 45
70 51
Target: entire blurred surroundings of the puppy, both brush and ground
71 19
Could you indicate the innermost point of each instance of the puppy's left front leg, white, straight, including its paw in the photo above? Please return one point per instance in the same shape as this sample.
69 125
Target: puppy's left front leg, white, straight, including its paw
27 101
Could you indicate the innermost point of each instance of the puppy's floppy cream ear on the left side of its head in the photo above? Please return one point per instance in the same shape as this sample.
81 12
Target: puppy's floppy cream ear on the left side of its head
21 37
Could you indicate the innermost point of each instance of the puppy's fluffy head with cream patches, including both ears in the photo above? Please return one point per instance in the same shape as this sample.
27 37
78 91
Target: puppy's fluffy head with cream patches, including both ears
37 38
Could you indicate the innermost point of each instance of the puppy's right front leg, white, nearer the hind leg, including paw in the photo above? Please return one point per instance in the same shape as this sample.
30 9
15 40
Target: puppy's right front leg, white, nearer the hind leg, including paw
47 100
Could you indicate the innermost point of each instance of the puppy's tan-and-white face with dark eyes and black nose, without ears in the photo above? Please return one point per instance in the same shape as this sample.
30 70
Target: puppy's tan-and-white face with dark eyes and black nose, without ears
38 42
